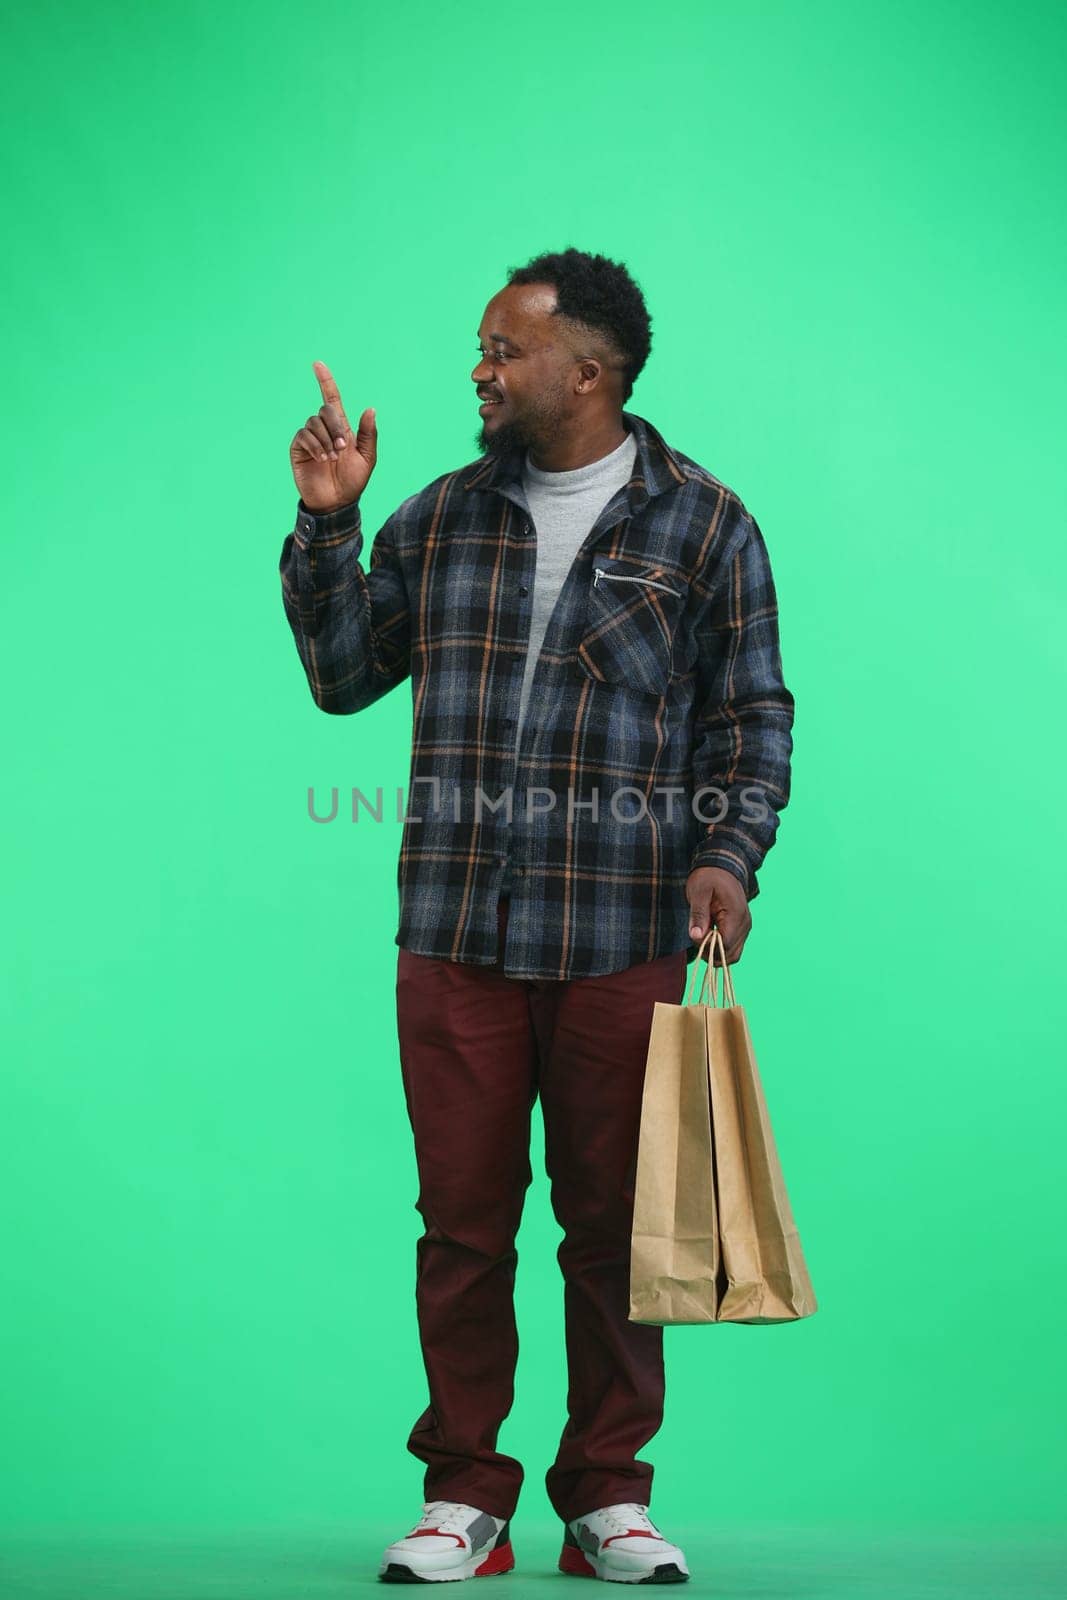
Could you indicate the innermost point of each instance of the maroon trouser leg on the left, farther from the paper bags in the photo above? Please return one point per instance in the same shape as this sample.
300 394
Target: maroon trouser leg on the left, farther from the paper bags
470 1066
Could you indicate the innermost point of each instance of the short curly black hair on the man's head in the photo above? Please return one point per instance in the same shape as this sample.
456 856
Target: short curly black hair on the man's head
602 295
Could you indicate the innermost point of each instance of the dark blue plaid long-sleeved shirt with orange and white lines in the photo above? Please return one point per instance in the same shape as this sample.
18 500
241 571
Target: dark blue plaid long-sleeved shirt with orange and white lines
658 735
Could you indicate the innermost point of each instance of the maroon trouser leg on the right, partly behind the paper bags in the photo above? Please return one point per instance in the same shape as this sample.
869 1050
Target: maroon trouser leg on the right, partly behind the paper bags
593 1071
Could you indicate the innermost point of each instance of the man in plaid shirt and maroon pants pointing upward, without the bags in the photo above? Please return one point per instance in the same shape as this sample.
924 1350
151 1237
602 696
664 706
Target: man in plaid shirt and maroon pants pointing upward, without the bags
601 750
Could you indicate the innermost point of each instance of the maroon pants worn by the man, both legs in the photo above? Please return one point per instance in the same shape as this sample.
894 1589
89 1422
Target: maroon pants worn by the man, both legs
476 1050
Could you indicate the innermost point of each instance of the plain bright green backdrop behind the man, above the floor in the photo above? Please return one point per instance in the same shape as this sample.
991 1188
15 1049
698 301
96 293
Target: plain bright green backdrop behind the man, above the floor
850 230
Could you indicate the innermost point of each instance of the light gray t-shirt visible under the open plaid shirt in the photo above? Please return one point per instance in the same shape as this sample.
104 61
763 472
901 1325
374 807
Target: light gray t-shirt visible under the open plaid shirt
564 506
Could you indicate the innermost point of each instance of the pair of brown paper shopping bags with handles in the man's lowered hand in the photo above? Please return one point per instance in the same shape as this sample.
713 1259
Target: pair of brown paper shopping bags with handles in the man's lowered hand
714 1234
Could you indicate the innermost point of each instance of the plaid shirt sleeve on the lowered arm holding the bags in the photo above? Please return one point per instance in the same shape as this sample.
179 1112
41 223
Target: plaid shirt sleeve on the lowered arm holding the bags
743 735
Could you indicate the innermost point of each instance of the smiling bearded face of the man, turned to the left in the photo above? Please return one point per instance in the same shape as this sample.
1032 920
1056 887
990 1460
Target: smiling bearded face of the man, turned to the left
529 369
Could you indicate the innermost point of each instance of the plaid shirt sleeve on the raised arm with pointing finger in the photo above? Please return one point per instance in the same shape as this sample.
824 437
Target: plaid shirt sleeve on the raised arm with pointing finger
353 626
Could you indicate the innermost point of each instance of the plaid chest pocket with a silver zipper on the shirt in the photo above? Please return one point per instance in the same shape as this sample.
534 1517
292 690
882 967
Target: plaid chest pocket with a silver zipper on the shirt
629 625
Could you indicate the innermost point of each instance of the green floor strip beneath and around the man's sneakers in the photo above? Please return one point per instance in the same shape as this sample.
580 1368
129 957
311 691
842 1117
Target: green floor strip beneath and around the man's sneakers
751 1564
